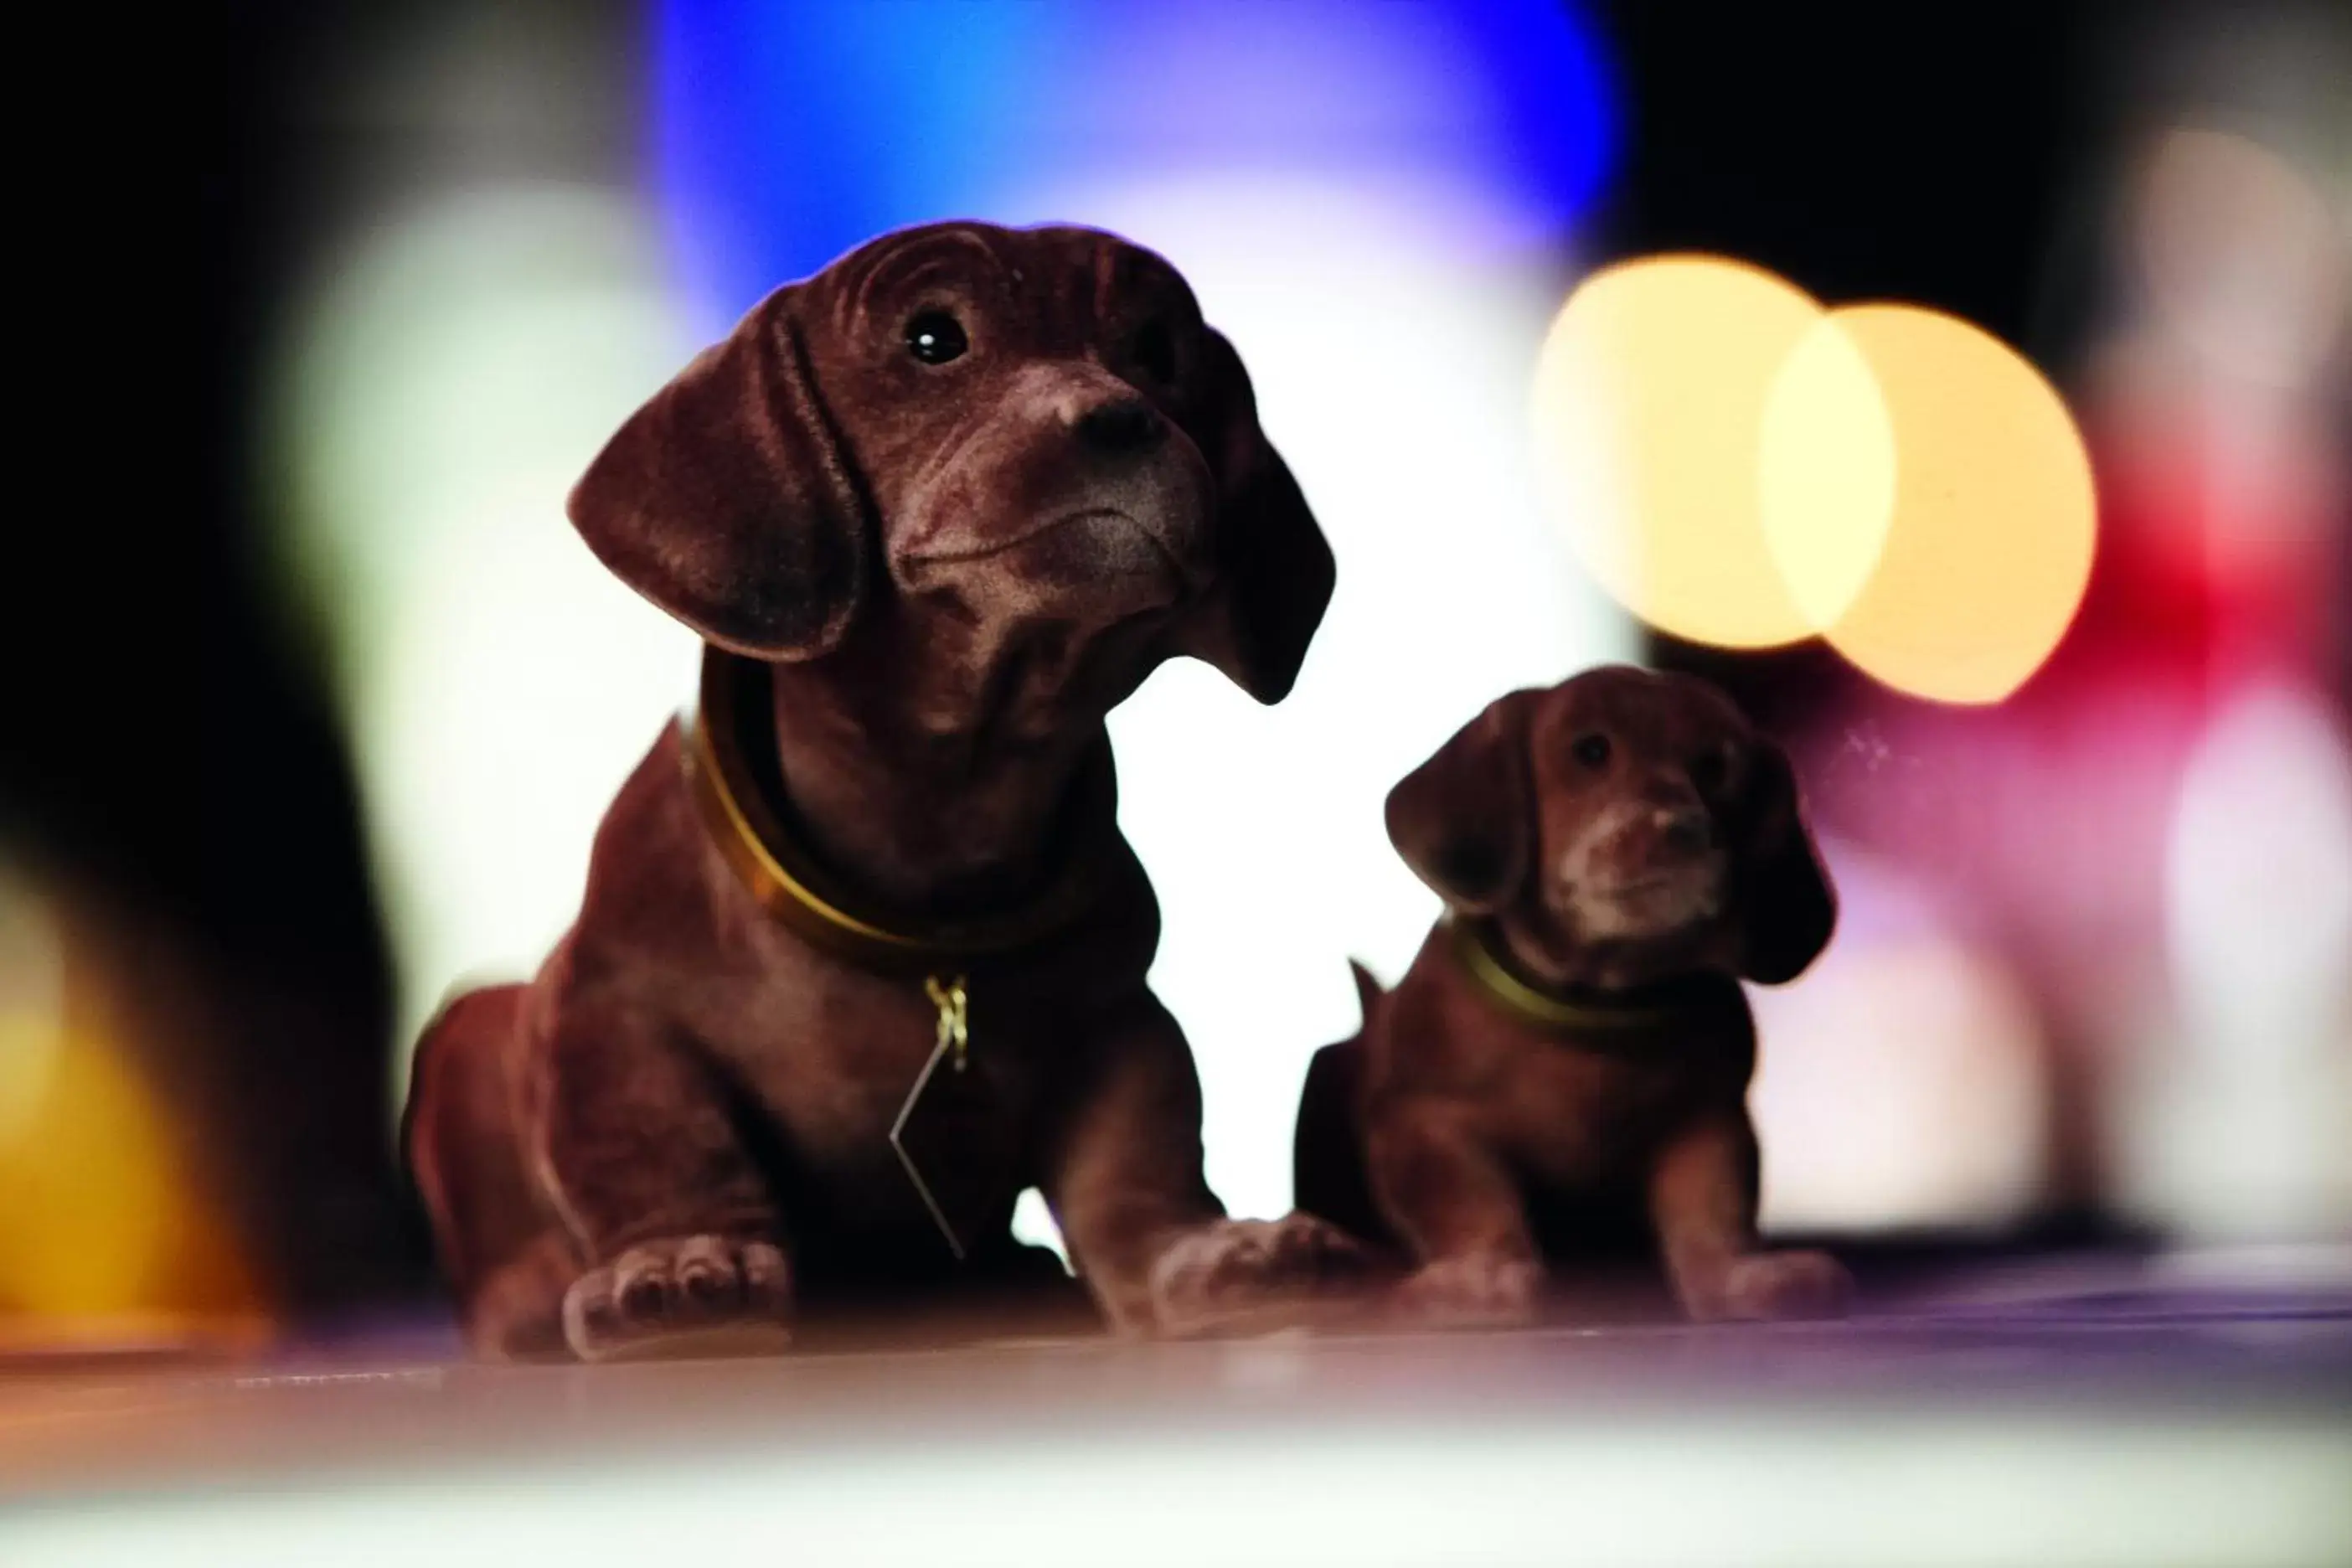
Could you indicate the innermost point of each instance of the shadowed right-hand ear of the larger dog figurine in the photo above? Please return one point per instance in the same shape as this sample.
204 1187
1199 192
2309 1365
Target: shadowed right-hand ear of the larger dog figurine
1274 568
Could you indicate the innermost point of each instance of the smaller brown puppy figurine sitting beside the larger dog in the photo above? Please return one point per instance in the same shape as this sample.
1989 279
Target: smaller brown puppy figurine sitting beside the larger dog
1568 1059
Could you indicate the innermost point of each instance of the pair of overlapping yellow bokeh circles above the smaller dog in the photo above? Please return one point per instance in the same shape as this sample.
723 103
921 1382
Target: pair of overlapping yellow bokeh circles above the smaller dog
1739 467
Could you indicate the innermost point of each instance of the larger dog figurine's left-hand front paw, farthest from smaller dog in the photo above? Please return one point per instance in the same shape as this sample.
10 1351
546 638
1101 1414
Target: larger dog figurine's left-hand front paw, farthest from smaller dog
681 1294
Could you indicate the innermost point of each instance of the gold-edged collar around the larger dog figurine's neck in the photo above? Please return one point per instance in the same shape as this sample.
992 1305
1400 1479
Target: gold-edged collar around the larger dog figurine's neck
730 746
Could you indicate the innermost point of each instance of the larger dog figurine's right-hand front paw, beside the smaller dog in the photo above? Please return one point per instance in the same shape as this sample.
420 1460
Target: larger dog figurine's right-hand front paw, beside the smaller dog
1241 1275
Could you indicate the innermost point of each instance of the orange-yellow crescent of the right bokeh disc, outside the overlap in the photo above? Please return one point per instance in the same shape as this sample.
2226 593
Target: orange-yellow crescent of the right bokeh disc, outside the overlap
1993 528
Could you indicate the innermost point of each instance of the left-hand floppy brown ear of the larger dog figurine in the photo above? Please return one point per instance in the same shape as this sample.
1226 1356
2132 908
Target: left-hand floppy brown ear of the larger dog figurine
728 500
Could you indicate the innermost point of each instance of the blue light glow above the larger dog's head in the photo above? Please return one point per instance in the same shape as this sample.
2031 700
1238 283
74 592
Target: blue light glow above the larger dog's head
789 133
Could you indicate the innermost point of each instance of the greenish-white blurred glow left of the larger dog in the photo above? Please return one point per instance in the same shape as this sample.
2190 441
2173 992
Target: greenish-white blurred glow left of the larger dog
448 384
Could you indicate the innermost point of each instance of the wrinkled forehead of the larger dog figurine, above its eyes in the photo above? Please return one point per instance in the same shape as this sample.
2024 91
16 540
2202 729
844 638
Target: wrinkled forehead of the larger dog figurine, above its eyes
1067 283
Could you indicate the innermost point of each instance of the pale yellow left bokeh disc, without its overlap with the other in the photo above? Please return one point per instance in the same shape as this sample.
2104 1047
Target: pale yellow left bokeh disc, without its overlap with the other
1650 422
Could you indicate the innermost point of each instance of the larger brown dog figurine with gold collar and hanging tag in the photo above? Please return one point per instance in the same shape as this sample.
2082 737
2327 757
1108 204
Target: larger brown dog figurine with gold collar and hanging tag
862 951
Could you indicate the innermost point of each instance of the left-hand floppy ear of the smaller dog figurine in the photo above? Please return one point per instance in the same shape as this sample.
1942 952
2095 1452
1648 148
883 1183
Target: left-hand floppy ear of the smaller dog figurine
1466 819
